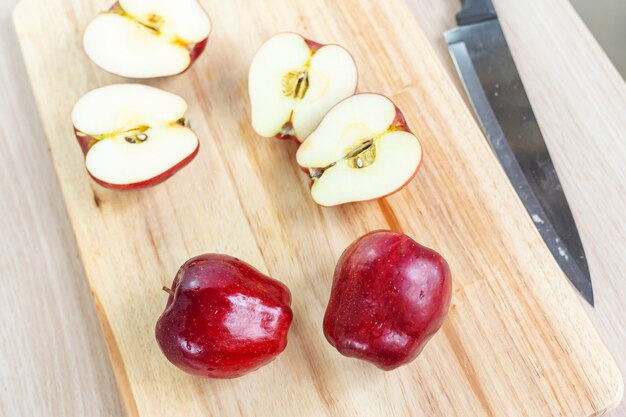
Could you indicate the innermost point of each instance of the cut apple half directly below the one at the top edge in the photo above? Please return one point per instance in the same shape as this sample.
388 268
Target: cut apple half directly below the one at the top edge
133 136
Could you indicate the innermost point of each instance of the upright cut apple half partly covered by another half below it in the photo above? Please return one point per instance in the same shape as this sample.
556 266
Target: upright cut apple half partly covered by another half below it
293 82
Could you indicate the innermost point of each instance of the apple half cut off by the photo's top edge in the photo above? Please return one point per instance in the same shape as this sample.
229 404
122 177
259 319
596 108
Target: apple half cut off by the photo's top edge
147 38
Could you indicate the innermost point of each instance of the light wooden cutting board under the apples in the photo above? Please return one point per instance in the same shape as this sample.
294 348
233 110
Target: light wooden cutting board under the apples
516 341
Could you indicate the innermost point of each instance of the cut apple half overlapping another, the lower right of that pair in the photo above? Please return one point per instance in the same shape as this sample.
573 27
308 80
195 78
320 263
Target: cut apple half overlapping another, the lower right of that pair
362 150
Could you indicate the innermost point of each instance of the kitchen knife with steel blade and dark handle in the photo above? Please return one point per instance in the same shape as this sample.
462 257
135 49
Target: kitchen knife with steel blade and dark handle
490 78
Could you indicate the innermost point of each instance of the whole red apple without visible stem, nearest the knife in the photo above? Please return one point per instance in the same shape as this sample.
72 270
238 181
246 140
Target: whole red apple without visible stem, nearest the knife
390 295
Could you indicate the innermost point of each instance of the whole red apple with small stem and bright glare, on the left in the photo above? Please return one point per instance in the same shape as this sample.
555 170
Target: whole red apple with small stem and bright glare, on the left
224 319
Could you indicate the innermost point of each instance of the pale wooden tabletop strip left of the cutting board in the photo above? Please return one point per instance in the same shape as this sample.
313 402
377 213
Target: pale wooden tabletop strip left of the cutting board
52 359
